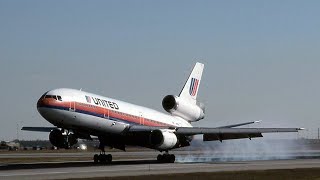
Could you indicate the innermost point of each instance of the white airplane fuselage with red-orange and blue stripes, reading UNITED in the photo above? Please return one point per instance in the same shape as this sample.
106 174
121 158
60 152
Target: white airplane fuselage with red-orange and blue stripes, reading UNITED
75 109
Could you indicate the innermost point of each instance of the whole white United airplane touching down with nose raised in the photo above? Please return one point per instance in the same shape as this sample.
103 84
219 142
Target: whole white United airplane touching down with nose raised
78 114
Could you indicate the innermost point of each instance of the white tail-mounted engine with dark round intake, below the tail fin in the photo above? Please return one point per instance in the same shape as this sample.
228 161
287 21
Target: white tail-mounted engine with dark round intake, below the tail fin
177 106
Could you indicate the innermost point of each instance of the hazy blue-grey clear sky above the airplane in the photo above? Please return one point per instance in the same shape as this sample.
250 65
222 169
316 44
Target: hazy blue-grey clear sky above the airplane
262 58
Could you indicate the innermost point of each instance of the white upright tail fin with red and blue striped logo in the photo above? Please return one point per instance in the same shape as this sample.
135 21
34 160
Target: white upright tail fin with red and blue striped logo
191 87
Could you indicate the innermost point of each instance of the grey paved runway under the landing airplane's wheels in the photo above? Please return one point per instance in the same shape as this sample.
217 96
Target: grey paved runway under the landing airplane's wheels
148 167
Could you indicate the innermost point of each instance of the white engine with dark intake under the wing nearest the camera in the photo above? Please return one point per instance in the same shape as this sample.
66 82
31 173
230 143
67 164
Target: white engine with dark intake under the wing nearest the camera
163 140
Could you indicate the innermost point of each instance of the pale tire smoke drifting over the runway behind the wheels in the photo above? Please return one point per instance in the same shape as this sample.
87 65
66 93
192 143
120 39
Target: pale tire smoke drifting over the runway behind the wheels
245 150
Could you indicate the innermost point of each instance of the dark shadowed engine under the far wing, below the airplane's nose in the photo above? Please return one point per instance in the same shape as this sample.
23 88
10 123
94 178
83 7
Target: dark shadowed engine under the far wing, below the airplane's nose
62 140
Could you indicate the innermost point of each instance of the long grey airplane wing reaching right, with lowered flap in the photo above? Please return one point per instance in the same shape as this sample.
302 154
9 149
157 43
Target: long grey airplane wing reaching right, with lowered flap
214 134
